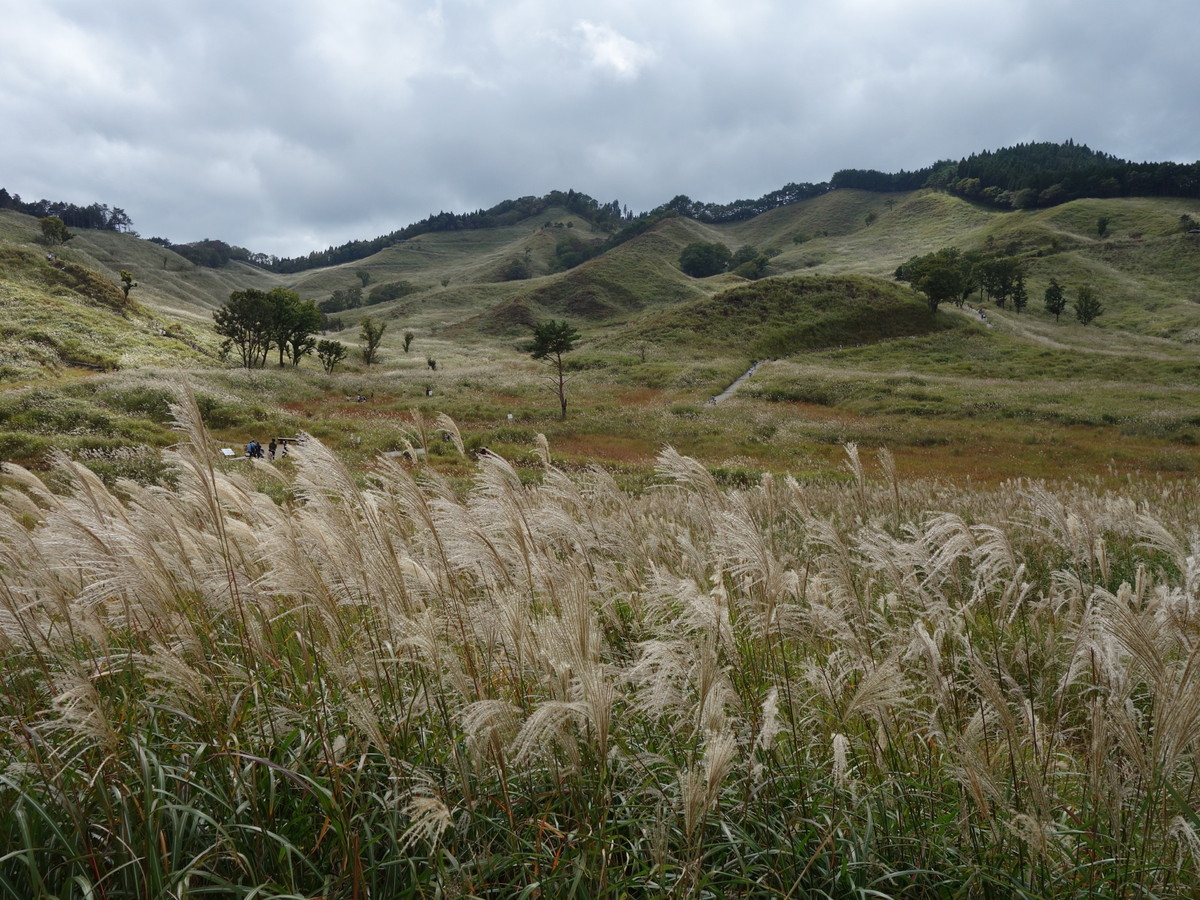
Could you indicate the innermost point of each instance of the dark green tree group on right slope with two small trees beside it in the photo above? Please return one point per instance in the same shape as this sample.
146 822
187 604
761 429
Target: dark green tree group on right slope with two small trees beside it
950 275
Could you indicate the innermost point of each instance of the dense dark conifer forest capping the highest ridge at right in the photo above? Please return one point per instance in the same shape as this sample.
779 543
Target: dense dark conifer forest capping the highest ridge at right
1036 175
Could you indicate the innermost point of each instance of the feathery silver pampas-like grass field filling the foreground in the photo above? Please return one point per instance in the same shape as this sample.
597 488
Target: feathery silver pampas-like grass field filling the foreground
395 686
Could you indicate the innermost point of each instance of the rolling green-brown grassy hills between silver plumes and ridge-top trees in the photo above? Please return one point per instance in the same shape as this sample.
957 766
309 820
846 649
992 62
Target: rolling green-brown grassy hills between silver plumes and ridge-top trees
854 356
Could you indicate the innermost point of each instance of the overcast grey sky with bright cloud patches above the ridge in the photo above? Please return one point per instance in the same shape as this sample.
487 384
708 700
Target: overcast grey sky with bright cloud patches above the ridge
286 128
